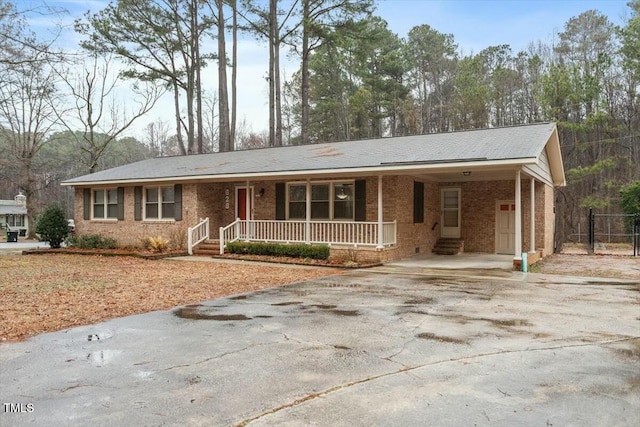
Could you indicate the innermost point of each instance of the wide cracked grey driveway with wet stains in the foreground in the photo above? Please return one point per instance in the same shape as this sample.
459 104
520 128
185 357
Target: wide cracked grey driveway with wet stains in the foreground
367 348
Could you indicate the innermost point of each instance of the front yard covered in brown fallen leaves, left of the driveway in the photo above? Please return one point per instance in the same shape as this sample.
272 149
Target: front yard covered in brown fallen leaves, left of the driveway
51 292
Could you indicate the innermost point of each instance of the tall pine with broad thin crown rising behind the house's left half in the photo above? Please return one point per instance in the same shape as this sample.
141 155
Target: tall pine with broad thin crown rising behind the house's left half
160 41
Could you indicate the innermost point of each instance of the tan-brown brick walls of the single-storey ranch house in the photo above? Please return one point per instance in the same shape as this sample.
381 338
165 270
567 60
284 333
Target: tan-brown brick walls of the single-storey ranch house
217 201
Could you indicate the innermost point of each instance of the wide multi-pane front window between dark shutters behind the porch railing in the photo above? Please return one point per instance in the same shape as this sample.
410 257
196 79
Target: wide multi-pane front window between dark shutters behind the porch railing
329 201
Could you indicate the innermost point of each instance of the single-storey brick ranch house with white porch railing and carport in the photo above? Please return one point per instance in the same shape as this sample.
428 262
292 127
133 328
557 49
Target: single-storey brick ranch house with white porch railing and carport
389 197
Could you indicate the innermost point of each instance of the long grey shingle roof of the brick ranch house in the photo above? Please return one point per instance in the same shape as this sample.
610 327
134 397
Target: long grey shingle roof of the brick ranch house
484 145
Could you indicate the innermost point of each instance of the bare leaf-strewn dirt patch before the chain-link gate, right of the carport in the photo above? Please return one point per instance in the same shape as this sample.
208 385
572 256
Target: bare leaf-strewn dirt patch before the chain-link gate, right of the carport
613 266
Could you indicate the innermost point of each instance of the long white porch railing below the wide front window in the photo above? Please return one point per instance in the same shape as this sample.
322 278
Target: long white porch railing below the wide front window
319 232
